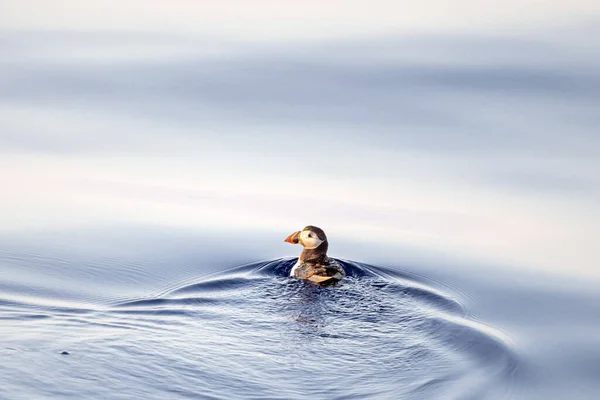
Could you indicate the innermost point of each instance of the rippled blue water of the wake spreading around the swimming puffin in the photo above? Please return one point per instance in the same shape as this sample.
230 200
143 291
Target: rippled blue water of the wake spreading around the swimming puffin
247 332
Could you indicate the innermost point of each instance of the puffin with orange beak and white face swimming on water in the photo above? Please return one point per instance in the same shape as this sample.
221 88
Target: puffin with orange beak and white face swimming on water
313 264
